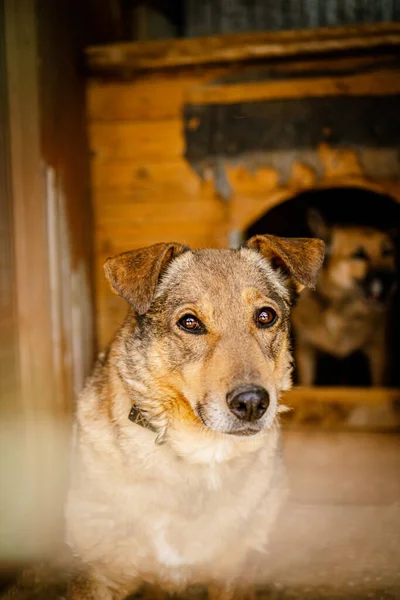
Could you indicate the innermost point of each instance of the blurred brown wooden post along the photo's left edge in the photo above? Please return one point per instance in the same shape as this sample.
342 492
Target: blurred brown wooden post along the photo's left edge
51 255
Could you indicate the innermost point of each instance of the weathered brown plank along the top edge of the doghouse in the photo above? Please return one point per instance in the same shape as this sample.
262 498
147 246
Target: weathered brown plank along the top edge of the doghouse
139 56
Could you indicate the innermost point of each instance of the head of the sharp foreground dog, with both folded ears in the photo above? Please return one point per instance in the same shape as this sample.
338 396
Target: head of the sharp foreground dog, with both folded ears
207 340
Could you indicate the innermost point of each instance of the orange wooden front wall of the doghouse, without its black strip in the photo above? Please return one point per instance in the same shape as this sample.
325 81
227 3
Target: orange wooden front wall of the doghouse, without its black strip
145 191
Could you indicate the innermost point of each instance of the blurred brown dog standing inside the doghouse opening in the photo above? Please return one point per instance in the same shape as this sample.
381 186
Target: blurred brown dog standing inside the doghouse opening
348 310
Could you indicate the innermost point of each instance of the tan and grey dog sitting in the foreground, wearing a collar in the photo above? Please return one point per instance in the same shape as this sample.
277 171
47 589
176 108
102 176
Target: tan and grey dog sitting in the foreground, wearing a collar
177 474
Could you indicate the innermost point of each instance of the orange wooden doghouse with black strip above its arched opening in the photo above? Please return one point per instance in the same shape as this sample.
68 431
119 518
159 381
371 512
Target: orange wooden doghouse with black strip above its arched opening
195 140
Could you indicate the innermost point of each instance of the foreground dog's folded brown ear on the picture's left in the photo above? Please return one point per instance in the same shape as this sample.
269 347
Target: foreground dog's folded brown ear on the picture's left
134 275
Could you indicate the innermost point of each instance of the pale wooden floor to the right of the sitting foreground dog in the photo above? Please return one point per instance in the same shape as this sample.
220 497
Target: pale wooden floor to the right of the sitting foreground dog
339 535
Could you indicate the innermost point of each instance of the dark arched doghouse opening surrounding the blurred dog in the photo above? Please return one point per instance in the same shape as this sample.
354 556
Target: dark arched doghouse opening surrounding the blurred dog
346 206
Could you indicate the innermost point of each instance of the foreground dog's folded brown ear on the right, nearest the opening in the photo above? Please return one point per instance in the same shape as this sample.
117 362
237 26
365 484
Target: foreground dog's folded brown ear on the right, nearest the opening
297 258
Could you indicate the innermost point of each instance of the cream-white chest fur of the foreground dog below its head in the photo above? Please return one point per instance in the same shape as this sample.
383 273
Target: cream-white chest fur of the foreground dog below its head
154 515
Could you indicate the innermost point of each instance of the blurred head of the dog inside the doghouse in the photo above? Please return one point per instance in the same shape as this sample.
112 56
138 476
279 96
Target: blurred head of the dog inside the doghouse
360 260
